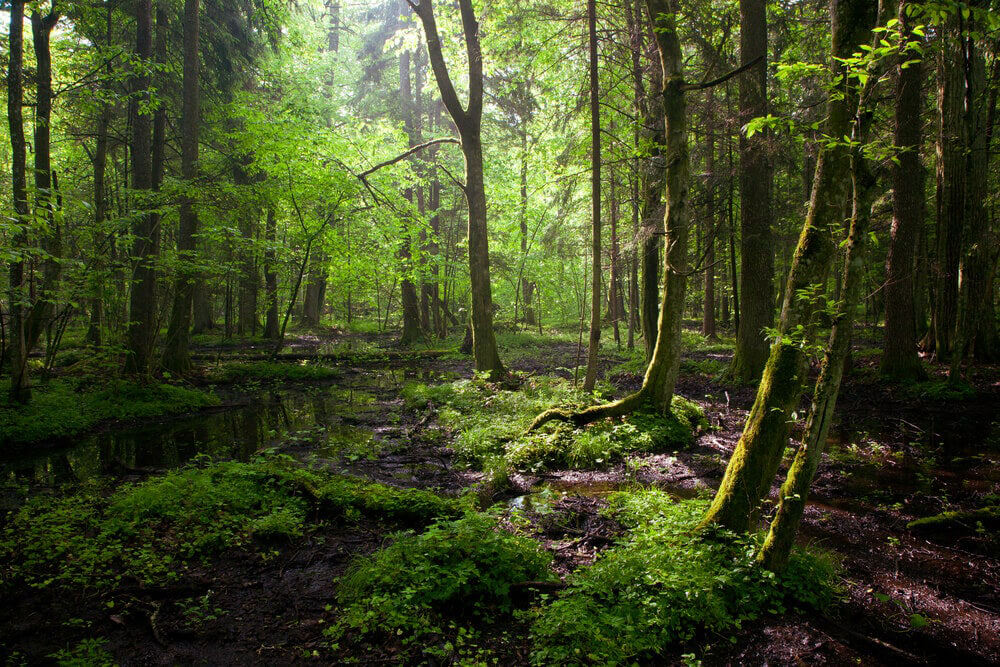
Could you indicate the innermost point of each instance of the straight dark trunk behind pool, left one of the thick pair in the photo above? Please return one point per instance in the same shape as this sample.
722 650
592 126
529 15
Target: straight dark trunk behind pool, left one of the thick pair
142 301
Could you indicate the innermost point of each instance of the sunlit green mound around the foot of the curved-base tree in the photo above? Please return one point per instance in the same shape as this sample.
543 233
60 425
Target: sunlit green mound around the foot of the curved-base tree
490 424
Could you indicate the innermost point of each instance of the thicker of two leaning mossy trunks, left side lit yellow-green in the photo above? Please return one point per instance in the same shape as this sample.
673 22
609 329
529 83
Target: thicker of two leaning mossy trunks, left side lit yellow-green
755 461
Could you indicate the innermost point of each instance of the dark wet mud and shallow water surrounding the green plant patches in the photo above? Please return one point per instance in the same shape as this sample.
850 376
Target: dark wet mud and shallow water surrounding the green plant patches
908 598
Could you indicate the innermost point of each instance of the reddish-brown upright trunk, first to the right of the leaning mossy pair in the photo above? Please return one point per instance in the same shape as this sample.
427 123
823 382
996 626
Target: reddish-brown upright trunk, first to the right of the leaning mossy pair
899 353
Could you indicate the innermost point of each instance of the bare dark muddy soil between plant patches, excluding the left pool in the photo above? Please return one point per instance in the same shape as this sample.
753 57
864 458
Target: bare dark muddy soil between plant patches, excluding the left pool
907 598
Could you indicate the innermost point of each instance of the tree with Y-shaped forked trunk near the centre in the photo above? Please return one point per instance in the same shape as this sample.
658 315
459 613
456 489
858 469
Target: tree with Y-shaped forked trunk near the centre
468 120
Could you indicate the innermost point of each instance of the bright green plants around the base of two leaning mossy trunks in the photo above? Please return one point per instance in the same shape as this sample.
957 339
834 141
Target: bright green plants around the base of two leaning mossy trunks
663 584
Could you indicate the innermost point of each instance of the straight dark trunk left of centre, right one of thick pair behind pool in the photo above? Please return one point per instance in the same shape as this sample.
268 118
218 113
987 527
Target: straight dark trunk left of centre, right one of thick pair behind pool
176 357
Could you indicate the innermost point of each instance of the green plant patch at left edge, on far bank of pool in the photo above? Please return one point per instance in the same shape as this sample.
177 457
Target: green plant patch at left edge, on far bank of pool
66 407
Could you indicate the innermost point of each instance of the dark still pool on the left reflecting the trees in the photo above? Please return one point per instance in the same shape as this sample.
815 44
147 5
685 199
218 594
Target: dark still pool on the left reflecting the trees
332 421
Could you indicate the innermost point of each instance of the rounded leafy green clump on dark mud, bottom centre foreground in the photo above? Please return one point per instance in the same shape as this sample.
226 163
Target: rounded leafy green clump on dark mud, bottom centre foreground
463 568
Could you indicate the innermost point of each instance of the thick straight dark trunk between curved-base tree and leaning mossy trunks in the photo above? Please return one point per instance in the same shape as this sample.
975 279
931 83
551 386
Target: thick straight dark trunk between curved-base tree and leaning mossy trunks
756 176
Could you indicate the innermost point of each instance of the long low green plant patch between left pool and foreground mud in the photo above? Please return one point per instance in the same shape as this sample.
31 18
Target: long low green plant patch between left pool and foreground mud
152 531
